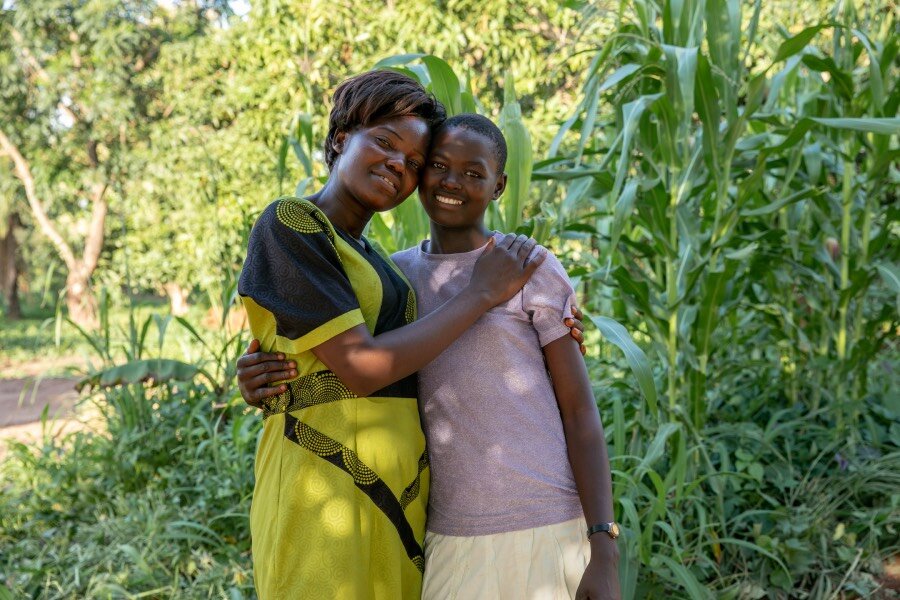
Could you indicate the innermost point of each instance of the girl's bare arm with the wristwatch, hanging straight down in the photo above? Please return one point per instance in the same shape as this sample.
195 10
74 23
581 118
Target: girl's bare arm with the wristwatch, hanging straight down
590 462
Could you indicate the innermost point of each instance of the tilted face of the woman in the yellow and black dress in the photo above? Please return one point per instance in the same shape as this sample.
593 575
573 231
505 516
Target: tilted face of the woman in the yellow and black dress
379 163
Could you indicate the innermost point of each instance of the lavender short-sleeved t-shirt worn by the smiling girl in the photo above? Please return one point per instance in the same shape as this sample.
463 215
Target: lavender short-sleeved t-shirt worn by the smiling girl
495 436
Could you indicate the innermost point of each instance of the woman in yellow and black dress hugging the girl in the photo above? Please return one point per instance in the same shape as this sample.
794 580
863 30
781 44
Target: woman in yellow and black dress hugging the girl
341 472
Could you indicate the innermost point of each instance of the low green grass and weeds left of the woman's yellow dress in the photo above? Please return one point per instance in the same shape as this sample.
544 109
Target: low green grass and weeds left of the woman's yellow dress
153 499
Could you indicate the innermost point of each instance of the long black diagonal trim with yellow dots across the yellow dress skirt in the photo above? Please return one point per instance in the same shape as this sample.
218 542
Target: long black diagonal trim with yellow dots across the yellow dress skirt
365 479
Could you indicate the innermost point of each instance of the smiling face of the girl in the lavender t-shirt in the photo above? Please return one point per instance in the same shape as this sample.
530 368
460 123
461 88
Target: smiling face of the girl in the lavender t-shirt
460 178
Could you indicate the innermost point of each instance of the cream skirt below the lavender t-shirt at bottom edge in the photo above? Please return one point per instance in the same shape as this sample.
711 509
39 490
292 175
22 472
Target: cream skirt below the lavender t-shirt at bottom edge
541 563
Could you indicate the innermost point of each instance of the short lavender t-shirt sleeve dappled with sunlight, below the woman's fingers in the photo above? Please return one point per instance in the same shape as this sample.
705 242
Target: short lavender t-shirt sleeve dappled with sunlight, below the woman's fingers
548 298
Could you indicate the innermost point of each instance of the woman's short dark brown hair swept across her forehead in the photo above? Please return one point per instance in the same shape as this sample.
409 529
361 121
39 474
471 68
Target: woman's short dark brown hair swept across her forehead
375 96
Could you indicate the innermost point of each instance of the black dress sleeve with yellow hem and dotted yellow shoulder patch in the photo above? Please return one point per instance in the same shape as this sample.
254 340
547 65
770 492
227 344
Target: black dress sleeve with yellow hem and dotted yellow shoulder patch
293 280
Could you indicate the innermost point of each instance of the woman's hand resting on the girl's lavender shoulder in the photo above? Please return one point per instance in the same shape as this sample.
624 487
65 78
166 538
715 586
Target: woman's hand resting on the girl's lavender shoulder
503 268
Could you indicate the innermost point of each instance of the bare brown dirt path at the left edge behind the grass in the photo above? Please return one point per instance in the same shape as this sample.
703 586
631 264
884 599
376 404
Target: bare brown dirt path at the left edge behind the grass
23 400
